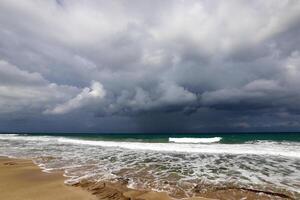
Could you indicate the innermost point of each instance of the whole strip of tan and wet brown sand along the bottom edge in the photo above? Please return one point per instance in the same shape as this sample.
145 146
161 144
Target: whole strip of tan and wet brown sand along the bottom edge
22 179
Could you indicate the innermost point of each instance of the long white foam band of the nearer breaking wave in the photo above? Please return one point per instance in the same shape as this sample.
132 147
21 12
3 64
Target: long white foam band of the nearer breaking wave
261 148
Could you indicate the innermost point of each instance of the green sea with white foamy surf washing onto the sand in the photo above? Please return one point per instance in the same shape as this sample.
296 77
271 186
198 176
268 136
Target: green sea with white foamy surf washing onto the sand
175 163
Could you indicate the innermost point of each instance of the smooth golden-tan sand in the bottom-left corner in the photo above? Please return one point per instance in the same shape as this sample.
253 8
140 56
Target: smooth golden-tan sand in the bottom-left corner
22 180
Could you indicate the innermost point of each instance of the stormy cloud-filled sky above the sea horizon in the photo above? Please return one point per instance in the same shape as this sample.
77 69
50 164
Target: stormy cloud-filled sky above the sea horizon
149 66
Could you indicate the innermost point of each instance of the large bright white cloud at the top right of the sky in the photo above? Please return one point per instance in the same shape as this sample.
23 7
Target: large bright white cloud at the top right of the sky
224 27
